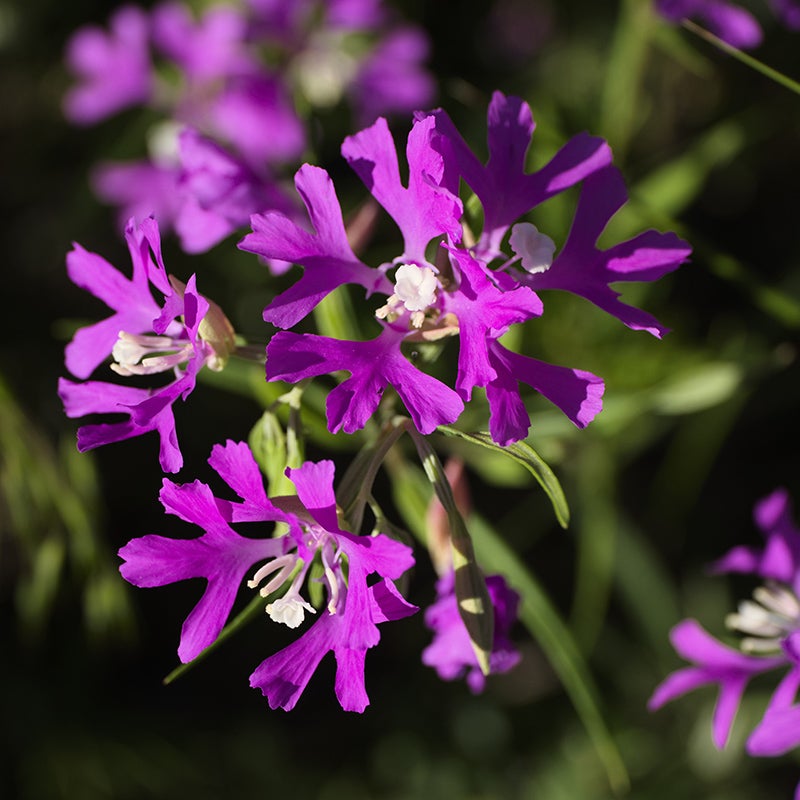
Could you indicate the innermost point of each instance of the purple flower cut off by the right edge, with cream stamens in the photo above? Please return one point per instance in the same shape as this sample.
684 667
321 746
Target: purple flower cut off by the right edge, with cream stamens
771 627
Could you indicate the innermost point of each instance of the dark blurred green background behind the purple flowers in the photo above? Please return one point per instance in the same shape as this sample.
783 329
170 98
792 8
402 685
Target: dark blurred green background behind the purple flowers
696 429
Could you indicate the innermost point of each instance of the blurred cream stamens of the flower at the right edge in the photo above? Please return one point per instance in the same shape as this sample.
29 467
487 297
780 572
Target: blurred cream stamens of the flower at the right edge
769 618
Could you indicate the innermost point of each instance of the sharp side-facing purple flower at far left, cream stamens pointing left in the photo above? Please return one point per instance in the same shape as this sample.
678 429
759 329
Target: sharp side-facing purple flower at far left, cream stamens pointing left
190 333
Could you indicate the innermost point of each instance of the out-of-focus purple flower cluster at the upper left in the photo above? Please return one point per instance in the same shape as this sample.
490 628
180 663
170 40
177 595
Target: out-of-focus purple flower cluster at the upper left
228 83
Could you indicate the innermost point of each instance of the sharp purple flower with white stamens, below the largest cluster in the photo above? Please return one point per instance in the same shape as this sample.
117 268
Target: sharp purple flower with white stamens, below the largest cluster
347 625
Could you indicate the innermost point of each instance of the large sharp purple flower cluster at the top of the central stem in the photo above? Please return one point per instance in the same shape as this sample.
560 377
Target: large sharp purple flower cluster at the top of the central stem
439 286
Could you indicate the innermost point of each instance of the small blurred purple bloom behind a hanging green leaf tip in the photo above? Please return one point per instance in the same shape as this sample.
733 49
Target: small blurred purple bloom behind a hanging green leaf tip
451 653
